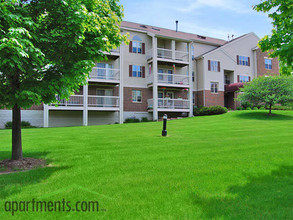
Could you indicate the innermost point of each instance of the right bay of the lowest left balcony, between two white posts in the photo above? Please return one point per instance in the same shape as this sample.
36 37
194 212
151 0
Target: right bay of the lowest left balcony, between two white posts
103 103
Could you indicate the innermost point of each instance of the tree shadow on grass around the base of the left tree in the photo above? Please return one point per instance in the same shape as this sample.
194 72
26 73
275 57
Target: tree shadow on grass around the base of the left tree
13 183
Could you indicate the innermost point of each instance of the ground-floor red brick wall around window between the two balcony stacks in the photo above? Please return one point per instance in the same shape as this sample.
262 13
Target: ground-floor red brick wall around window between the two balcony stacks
129 106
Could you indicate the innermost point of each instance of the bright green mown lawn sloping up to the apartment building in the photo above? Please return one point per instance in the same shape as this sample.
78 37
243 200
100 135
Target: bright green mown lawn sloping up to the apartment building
233 166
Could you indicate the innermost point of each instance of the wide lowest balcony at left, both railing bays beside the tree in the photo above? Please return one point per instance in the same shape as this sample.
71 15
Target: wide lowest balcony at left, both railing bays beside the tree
95 103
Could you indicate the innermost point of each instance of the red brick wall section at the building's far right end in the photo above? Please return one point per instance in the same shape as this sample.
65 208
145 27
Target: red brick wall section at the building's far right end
261 70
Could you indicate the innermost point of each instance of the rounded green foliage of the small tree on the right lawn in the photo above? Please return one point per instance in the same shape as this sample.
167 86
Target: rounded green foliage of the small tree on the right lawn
268 91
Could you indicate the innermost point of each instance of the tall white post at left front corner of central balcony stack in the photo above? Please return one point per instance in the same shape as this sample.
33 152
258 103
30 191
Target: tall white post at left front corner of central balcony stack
155 81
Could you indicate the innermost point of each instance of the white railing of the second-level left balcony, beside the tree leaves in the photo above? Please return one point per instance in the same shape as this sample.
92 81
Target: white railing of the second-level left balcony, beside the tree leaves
105 74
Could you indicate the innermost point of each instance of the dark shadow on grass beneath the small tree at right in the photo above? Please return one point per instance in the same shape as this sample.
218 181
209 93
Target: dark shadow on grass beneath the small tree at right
264 116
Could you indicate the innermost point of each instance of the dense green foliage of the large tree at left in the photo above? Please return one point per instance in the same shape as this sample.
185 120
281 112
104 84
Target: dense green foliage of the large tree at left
49 47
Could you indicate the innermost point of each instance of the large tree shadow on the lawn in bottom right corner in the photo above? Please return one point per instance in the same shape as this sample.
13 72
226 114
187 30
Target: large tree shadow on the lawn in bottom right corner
265 197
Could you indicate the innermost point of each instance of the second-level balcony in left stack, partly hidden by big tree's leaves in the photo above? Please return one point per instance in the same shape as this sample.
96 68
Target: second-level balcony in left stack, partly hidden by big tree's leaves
105 75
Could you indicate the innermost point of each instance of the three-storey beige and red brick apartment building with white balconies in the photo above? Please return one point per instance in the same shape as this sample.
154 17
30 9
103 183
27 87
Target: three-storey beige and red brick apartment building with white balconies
161 71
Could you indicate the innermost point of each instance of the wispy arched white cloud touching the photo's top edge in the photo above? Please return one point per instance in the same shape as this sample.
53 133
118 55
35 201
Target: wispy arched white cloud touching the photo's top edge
231 5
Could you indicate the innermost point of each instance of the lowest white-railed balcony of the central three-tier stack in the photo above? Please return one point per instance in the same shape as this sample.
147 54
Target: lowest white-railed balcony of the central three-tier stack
170 105
